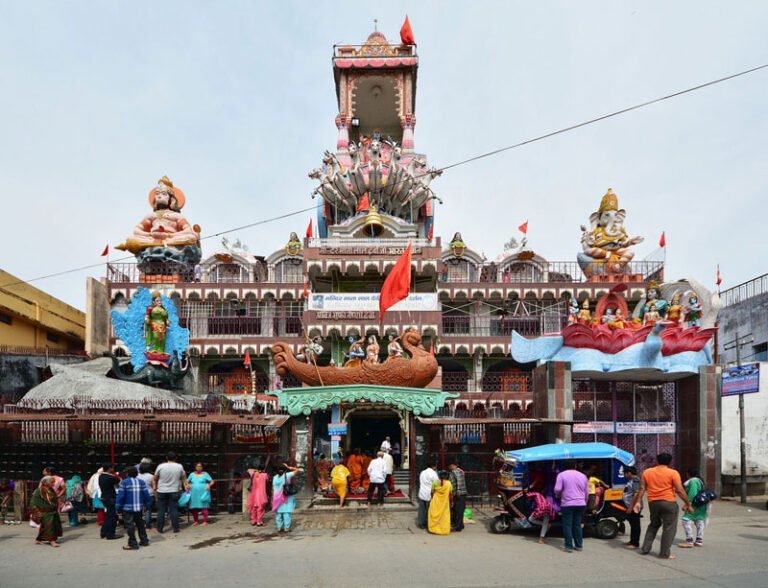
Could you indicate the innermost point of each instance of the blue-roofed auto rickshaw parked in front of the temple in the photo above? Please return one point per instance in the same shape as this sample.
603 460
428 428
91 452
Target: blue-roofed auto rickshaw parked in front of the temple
537 467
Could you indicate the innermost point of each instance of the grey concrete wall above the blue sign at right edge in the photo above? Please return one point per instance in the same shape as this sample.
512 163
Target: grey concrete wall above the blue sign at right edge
748 317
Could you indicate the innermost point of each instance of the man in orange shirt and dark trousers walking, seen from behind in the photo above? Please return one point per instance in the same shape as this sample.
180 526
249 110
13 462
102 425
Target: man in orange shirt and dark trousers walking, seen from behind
661 483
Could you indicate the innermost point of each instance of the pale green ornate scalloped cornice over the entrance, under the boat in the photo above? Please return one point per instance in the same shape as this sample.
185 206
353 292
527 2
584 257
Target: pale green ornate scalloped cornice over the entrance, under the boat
419 401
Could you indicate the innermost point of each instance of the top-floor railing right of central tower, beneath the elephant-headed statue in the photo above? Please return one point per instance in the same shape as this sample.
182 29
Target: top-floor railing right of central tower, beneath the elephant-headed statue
525 272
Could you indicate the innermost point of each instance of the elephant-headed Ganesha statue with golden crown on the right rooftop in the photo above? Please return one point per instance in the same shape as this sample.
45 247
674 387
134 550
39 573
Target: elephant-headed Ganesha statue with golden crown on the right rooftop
607 248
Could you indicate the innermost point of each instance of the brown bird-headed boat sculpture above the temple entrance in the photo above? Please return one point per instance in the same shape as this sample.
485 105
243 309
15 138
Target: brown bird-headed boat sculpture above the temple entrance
416 372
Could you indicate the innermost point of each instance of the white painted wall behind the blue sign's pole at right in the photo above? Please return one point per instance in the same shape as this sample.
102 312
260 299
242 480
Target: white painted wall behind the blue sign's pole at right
756 421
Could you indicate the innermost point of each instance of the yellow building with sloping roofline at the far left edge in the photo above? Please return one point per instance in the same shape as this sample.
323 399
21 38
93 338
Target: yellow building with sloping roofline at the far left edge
31 320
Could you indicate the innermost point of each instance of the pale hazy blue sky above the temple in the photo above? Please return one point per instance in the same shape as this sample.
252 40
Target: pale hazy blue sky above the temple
235 102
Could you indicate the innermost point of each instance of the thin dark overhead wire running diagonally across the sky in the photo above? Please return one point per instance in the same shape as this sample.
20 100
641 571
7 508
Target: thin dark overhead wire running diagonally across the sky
451 166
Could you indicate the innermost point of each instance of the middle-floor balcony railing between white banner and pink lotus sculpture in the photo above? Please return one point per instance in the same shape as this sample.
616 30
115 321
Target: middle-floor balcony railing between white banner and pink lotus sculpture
526 325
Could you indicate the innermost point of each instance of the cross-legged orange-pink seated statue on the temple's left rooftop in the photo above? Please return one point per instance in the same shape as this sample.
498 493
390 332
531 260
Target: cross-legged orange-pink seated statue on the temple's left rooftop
164 235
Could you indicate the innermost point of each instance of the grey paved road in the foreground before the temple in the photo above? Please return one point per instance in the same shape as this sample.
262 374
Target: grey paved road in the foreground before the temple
381 549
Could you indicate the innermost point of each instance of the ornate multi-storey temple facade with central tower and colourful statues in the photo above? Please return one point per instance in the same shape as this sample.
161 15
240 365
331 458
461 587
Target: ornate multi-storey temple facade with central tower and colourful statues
527 350
